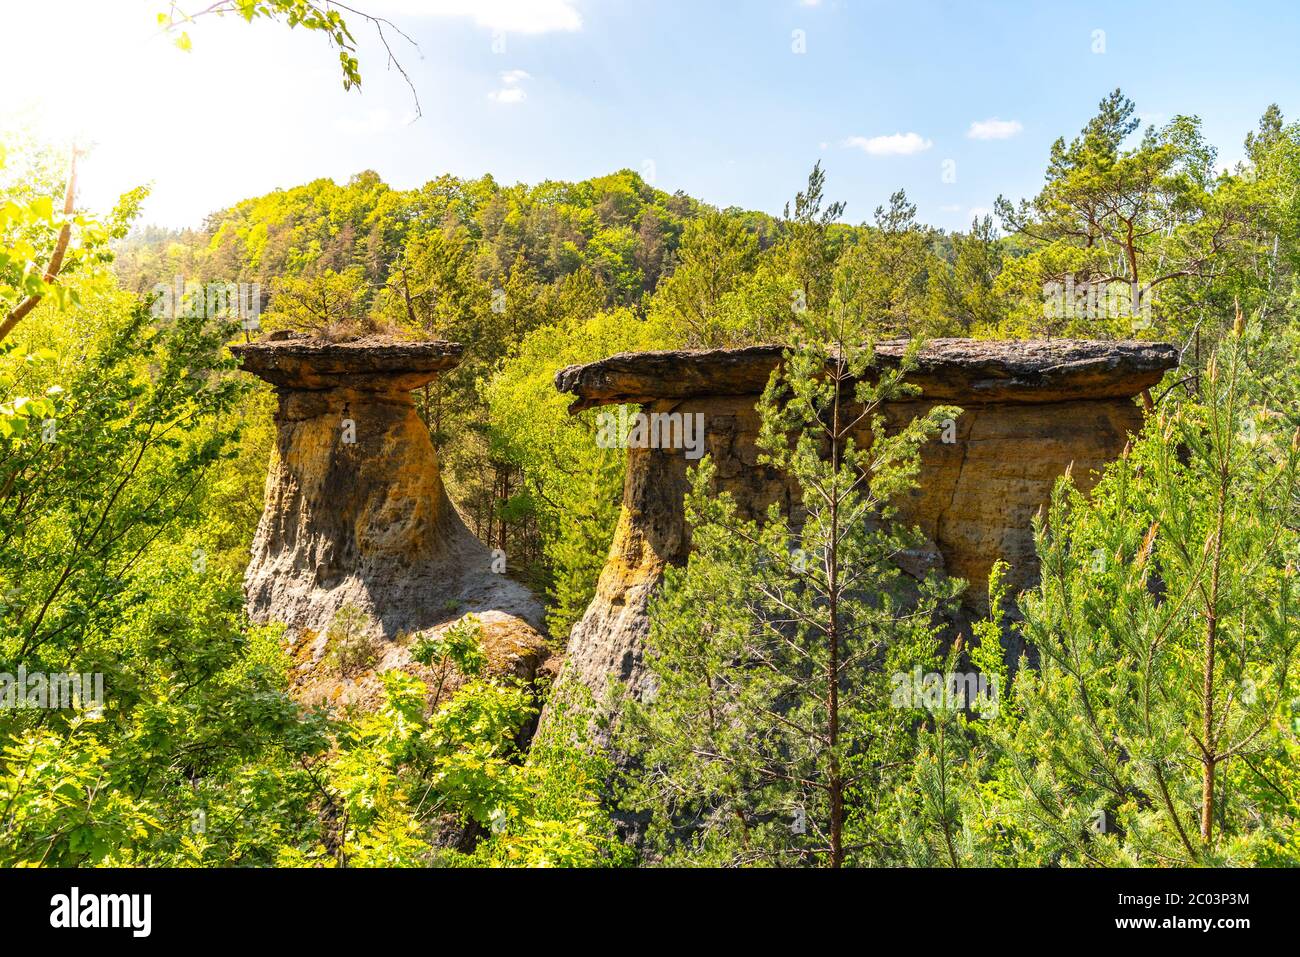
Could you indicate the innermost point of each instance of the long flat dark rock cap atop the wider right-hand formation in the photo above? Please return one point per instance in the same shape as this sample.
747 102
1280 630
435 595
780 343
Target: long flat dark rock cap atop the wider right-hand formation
972 371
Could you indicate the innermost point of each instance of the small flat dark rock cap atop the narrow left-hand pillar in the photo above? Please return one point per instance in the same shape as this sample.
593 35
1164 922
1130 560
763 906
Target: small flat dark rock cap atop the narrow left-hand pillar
374 363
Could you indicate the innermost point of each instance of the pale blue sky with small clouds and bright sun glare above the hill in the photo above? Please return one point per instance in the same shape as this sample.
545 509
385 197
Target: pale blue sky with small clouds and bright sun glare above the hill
709 97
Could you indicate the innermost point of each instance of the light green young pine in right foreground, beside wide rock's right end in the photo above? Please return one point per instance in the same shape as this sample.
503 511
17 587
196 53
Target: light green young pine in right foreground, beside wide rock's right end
1154 731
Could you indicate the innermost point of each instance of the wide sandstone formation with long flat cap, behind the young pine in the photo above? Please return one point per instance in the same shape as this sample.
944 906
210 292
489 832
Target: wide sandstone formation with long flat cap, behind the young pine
1032 409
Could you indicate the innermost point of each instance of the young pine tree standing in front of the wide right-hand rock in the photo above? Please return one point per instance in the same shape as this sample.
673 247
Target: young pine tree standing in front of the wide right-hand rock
770 733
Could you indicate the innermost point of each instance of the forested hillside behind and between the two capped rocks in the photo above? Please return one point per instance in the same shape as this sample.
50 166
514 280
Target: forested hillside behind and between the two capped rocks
541 278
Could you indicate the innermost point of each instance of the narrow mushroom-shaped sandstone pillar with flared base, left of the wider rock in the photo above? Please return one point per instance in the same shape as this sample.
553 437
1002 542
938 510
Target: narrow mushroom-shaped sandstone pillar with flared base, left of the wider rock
356 512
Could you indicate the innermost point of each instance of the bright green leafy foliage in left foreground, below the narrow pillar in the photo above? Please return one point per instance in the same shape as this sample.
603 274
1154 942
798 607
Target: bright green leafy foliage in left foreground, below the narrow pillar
123 553
